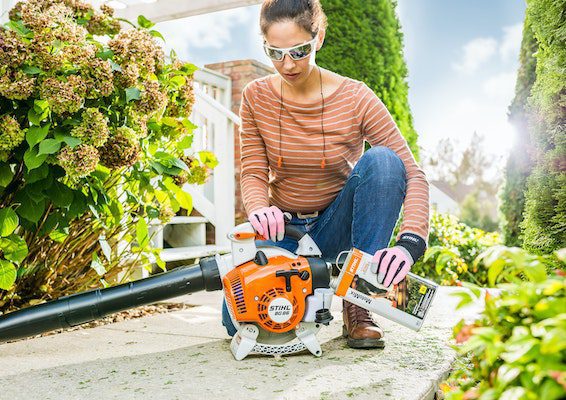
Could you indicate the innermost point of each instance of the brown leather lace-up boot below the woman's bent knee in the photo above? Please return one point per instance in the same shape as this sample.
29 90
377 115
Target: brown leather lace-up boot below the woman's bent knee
359 327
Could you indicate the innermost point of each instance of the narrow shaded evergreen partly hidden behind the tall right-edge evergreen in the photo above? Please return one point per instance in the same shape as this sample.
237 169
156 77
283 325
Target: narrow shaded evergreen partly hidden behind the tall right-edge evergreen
519 163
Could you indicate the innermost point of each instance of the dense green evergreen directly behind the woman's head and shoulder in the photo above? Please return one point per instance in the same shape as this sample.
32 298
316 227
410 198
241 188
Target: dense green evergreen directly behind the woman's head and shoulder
364 41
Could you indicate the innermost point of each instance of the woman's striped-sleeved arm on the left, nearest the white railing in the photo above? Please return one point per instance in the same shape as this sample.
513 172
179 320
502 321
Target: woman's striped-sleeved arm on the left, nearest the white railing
254 174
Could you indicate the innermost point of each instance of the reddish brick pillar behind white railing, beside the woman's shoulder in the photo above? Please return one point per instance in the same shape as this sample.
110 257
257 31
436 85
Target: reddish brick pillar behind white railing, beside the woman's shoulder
241 72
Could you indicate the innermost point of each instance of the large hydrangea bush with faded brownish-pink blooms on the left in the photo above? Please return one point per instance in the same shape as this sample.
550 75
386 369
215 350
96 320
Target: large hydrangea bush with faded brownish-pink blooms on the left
94 142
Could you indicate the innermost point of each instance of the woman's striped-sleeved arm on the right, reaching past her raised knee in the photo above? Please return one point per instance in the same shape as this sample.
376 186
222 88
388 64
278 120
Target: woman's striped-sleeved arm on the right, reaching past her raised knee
379 129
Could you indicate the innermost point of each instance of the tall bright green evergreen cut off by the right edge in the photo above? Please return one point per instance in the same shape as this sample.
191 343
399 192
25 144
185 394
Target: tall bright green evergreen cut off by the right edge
544 224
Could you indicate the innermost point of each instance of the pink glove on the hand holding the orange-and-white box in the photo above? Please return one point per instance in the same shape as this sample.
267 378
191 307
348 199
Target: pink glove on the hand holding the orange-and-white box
391 265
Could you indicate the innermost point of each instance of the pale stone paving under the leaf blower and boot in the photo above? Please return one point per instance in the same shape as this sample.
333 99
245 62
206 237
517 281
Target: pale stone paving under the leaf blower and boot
185 355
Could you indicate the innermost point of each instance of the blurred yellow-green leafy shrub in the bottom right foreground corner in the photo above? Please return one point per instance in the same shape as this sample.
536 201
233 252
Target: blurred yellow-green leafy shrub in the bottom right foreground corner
517 348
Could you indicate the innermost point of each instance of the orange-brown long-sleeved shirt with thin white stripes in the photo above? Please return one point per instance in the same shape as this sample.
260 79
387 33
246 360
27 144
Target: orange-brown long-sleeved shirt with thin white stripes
352 114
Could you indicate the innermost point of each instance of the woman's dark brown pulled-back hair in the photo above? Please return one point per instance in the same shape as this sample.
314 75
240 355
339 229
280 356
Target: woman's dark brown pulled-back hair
308 14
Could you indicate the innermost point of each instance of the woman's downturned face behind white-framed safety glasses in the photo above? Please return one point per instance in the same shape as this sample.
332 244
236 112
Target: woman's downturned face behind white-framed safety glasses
286 34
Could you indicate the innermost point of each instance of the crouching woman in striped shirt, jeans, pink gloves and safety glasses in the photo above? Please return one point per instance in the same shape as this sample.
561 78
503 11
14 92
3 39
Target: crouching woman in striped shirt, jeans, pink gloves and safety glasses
302 138
